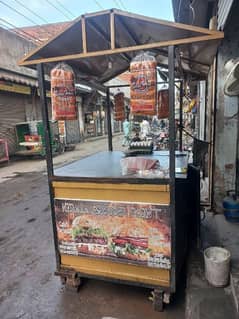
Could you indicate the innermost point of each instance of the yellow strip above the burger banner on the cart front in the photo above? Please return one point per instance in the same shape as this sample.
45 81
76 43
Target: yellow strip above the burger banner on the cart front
115 192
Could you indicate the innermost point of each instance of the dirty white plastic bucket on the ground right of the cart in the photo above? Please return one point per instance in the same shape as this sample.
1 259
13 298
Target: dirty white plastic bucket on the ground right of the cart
217 265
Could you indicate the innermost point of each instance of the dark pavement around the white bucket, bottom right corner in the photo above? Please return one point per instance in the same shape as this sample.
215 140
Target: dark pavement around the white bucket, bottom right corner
203 301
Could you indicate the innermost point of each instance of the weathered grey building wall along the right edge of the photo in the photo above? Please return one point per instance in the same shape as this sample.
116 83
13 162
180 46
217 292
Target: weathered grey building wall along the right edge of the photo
226 118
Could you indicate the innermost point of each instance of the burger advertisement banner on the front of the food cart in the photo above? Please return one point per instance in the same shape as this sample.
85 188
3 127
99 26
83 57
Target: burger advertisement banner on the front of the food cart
136 233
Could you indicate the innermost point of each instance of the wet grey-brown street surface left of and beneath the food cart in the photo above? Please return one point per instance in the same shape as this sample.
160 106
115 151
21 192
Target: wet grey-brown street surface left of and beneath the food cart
28 287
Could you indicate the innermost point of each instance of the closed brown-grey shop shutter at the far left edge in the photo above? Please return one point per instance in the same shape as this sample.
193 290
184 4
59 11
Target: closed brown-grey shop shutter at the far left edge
12 111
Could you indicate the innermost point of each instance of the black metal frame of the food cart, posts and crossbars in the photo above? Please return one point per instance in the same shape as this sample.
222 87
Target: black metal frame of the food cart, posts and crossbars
171 181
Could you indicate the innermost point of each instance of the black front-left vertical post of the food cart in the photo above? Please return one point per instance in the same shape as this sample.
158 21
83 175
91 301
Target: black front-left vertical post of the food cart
46 125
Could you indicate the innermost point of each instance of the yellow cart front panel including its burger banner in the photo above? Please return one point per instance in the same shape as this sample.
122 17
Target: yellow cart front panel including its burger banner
117 231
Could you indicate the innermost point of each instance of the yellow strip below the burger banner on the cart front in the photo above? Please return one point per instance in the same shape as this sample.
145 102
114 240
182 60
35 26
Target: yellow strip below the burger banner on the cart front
110 269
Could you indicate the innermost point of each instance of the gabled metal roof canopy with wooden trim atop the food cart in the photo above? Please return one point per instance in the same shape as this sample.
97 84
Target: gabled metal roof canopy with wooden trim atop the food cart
100 46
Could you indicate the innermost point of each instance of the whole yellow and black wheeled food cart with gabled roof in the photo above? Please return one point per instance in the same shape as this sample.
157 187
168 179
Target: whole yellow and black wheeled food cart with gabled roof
108 224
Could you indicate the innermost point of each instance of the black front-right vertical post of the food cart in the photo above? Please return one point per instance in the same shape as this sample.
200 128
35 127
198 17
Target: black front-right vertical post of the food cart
171 64
